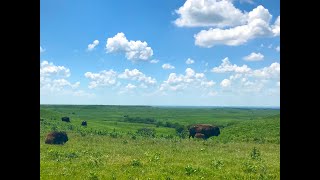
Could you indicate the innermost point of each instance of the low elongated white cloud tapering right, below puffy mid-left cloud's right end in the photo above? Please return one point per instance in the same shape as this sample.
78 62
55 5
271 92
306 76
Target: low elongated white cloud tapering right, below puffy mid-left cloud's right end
135 74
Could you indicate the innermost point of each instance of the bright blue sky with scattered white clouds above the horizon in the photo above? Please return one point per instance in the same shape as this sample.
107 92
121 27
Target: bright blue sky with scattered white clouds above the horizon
193 52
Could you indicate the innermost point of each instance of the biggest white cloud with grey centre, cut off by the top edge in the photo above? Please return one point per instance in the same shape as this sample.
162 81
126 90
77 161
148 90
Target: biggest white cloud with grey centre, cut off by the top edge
203 13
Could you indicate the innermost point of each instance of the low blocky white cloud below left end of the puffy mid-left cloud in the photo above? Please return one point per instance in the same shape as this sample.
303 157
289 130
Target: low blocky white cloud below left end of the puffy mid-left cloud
101 79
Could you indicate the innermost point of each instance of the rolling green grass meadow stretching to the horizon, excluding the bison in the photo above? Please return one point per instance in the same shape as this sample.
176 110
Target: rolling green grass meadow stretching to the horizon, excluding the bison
114 146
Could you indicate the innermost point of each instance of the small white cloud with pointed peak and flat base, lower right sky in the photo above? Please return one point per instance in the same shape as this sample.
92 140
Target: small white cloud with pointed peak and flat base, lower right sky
226 66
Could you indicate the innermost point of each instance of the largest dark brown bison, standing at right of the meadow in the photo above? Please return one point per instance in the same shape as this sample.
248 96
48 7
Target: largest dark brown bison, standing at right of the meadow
203 130
